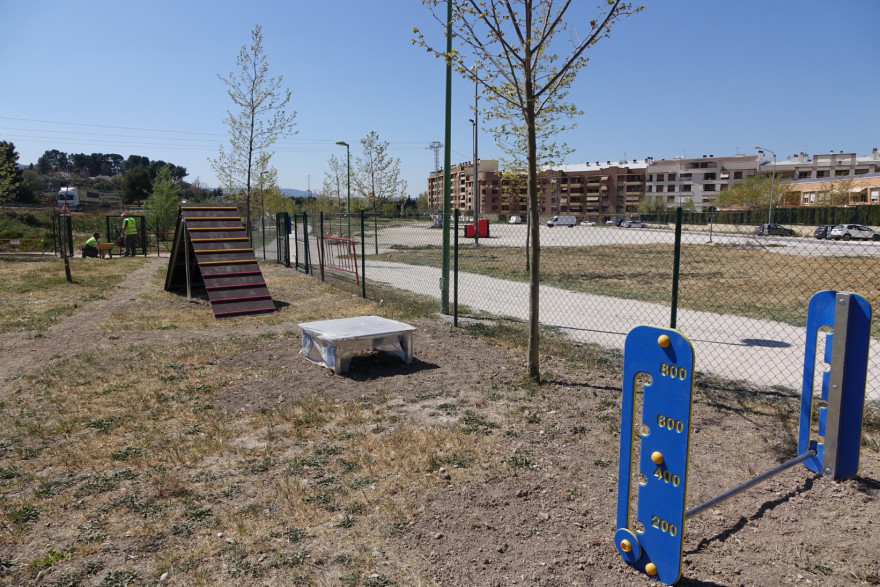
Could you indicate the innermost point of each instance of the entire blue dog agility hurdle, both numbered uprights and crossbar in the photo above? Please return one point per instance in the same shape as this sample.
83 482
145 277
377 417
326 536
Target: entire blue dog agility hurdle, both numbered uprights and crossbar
655 546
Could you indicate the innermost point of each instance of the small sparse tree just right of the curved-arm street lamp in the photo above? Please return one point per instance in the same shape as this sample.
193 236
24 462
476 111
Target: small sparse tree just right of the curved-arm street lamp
376 174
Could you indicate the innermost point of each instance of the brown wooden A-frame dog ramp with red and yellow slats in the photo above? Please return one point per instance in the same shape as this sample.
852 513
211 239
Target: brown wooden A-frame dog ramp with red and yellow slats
213 243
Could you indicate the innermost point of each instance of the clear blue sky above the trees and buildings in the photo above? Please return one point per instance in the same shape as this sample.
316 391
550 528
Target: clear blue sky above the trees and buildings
684 78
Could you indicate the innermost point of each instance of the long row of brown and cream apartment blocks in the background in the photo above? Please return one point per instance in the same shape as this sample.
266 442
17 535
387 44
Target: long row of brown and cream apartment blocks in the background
614 188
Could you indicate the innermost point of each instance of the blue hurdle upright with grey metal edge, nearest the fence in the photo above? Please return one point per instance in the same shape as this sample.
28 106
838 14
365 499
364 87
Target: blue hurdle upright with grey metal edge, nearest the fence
846 352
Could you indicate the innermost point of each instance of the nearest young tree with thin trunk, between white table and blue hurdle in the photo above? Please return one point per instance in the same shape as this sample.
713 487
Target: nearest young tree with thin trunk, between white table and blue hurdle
526 77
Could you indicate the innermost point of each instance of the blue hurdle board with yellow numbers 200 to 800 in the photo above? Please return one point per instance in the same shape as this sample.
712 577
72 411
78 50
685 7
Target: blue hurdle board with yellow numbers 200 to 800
668 358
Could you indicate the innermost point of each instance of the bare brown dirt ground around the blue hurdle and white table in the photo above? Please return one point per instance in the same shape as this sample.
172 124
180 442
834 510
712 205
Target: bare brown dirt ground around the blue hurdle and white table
544 515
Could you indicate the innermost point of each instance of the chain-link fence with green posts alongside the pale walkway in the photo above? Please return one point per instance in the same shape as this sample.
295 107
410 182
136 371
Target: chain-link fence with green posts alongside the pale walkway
741 297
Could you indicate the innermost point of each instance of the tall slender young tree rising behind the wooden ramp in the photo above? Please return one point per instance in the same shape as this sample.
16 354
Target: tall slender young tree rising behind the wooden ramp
261 119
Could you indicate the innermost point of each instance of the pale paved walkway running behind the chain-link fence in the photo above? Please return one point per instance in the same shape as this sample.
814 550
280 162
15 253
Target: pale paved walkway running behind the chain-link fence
762 352
